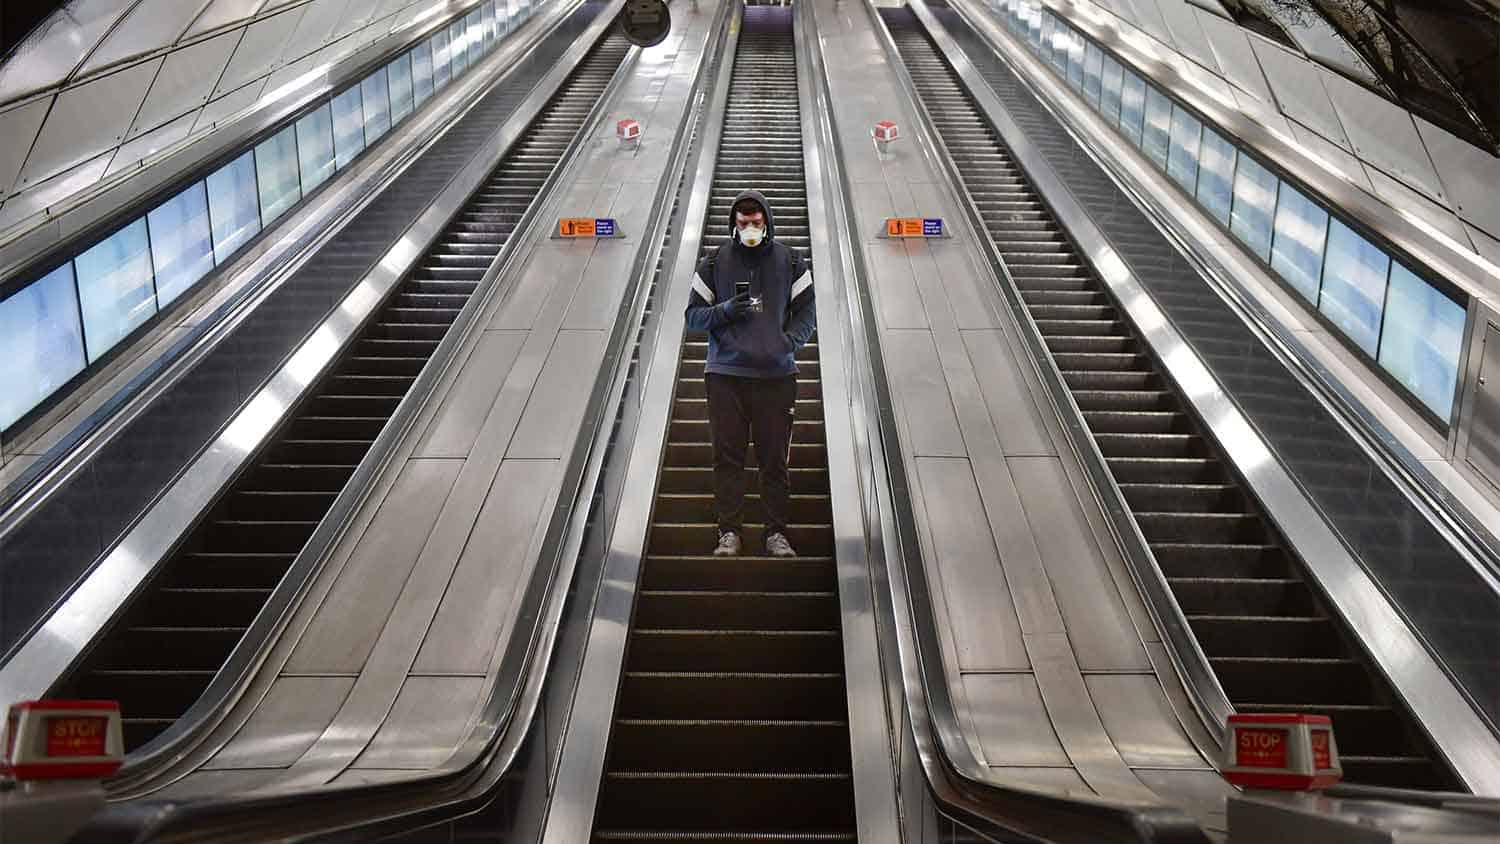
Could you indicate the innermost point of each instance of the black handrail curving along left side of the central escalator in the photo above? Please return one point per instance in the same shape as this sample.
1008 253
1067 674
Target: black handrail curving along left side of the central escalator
512 707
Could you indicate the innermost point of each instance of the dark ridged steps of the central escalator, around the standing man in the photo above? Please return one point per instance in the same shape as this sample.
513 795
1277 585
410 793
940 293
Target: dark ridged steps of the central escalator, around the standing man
731 722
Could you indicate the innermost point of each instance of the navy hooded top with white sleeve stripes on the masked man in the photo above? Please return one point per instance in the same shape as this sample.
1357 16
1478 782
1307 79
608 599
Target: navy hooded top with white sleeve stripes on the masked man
743 343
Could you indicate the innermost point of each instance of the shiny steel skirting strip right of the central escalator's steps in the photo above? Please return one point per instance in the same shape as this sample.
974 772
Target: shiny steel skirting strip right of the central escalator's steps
871 722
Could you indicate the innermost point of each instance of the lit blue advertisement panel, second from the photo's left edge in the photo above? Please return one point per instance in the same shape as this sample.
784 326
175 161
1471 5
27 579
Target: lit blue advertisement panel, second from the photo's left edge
116 289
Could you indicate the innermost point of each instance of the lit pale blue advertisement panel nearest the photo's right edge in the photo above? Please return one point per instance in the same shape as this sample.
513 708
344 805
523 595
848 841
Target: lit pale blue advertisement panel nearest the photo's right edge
1423 340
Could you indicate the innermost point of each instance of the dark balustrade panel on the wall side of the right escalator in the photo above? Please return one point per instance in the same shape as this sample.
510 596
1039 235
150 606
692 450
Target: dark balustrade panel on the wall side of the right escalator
1436 588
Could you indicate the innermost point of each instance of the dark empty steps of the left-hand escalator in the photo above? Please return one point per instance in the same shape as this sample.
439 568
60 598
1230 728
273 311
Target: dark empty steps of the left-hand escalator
166 648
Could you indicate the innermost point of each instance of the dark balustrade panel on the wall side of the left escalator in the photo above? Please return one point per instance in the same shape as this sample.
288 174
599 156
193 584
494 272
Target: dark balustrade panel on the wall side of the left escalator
59 543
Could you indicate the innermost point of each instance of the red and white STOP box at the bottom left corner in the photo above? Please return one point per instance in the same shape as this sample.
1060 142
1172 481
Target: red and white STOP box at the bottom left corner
62 740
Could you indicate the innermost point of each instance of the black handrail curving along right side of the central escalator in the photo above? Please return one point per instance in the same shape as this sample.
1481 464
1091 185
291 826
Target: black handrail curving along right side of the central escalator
953 776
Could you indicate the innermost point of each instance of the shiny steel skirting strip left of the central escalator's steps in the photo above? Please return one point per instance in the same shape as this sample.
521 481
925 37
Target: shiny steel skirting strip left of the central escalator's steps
581 761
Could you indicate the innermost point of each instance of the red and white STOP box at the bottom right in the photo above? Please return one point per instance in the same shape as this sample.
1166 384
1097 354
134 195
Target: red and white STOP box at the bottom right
1282 752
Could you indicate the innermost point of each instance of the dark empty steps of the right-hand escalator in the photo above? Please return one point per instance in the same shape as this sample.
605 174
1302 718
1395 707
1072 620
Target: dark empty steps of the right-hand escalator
1273 644
